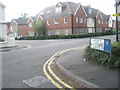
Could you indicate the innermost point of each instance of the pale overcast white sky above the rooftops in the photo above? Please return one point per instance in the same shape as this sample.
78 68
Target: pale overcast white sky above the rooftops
14 8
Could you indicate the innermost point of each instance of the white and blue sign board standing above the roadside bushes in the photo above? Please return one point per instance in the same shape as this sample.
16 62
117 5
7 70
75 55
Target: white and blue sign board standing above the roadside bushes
101 44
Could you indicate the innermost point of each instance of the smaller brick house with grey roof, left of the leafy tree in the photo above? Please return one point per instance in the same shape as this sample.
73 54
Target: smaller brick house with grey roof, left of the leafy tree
21 27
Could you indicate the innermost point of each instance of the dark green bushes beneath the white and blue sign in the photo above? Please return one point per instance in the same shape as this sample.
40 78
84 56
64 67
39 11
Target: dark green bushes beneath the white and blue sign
104 58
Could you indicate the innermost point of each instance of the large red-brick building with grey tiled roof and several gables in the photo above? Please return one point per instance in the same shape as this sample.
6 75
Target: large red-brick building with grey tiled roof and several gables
73 18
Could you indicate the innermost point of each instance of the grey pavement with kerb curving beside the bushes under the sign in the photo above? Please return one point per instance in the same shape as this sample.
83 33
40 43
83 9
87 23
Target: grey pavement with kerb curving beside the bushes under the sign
85 72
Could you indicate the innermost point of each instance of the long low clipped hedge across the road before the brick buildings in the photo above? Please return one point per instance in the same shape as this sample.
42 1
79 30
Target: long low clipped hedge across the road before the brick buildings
68 36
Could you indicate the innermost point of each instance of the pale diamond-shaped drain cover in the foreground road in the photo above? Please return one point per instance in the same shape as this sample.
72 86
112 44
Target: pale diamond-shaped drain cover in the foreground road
36 81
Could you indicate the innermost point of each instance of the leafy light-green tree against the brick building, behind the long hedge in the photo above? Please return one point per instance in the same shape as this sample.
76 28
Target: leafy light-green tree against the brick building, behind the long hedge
39 28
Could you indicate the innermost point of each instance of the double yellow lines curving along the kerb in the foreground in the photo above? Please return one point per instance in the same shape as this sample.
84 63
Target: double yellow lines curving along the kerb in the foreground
47 66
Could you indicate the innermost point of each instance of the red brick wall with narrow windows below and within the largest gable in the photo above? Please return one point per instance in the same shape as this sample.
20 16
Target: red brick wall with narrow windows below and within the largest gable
80 13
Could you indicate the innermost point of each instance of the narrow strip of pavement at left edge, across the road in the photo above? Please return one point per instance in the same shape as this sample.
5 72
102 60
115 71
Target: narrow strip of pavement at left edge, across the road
9 48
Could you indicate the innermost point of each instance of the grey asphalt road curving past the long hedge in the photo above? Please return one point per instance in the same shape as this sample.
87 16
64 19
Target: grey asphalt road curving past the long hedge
26 63
